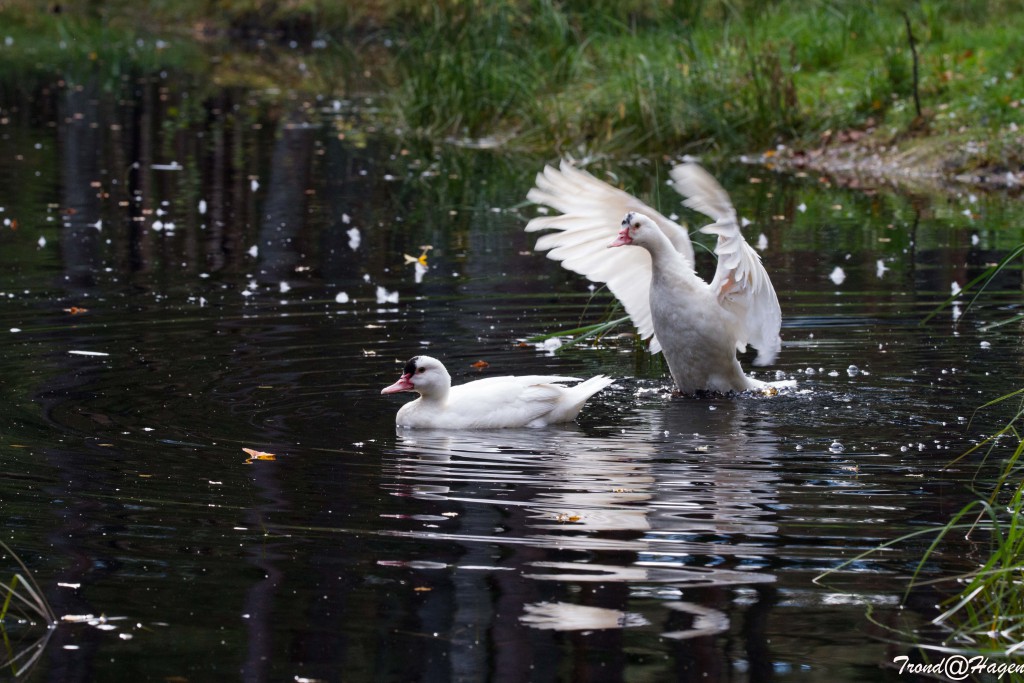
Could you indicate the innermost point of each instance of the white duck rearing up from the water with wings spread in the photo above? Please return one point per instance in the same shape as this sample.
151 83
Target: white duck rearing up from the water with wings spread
699 327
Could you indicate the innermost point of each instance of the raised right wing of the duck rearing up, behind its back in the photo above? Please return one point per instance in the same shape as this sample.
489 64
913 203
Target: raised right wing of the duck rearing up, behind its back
741 281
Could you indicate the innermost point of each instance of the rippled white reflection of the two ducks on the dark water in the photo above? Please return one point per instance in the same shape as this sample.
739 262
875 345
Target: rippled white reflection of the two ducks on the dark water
667 528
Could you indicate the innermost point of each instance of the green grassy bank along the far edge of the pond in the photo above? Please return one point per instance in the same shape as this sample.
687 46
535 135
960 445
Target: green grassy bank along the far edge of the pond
617 77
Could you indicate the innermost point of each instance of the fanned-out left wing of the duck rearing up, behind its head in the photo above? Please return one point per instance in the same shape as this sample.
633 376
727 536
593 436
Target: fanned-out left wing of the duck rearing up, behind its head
591 212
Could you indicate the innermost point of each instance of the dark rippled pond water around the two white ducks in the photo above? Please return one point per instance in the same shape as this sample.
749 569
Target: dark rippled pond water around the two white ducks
173 292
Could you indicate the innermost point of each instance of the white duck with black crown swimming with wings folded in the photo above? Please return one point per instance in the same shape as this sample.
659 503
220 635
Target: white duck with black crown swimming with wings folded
530 401
